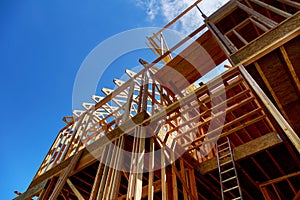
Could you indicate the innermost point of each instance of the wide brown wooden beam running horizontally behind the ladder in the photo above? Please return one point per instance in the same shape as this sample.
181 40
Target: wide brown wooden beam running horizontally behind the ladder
243 151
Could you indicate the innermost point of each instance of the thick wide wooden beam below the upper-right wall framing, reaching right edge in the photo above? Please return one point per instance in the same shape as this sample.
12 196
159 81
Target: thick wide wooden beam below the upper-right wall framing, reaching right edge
266 43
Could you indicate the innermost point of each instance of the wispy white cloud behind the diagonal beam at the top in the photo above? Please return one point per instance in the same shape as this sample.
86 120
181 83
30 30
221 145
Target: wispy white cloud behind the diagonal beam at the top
169 9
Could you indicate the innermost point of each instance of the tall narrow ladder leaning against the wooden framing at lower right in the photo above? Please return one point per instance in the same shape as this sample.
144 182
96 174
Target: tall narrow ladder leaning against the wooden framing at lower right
227 171
